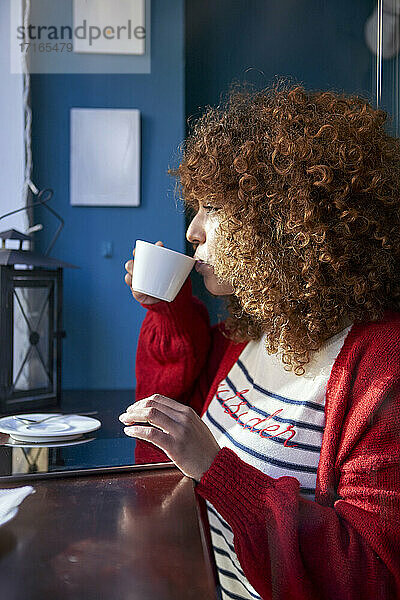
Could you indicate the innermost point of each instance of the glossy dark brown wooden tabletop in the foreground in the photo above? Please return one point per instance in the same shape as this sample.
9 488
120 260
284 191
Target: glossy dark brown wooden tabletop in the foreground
133 536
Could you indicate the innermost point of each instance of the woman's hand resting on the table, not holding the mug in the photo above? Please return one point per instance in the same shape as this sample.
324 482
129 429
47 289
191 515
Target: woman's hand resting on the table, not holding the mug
174 428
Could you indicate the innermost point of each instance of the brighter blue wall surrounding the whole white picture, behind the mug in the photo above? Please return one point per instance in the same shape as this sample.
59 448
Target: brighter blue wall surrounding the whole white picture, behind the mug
100 316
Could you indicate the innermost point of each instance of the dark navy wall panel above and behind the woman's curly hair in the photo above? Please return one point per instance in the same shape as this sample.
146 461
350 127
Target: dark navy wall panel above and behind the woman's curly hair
318 42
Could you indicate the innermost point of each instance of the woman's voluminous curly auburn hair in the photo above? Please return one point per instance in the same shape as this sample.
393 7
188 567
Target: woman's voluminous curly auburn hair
308 189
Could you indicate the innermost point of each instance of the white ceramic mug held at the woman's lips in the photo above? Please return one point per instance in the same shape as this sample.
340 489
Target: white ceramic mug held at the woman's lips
159 271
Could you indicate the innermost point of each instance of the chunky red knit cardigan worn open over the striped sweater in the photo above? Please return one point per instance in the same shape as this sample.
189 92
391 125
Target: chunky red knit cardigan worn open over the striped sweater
343 545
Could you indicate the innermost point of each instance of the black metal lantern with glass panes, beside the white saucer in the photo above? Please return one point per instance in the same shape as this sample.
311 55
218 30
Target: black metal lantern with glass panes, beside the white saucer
30 327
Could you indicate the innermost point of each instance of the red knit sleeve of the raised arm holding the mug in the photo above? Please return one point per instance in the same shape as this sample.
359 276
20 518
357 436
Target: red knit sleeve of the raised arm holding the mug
177 356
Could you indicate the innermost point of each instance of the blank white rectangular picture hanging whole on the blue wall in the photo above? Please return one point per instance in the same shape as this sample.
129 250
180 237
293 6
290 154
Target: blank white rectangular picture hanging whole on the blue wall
105 157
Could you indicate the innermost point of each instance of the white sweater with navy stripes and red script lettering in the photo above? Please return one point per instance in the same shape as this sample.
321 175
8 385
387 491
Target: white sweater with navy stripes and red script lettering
273 420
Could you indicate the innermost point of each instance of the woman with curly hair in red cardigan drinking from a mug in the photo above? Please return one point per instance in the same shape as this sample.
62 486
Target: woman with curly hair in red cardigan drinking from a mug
286 415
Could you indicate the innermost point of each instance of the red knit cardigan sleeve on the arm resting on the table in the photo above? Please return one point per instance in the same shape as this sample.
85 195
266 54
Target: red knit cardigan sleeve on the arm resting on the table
292 548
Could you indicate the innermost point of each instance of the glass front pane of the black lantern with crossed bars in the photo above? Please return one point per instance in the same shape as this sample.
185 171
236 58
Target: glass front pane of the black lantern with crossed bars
32 355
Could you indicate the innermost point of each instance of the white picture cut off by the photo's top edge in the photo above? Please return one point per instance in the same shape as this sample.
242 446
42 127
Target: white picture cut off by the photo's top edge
109 26
